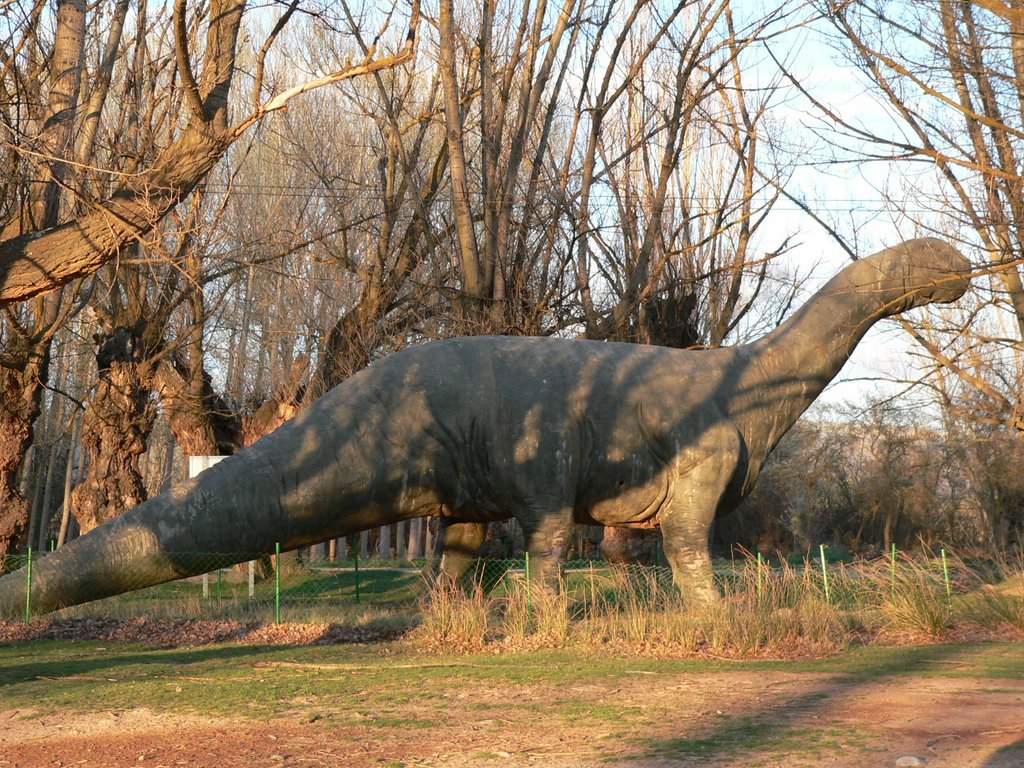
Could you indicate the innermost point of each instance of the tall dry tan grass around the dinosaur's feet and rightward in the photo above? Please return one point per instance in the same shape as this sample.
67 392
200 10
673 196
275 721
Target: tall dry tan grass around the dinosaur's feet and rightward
779 612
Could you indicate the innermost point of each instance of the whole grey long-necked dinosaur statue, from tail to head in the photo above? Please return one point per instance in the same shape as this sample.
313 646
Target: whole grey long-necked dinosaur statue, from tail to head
548 432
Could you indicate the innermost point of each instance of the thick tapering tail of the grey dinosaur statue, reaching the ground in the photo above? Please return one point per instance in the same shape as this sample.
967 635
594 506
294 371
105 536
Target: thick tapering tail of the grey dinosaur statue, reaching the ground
237 509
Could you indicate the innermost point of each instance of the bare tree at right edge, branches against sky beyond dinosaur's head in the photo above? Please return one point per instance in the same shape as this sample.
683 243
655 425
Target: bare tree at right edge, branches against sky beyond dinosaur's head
952 76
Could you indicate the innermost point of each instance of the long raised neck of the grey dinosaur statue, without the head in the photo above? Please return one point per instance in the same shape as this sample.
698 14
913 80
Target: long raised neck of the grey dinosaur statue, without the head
791 367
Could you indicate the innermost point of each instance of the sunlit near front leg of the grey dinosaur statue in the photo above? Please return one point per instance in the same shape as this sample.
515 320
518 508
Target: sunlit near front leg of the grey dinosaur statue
688 519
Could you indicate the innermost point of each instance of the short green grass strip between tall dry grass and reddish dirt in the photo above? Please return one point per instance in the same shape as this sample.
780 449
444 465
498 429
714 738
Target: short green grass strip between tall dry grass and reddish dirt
259 682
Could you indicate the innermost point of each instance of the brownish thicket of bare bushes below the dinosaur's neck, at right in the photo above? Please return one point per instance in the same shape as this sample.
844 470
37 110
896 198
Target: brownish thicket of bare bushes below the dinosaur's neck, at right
881 477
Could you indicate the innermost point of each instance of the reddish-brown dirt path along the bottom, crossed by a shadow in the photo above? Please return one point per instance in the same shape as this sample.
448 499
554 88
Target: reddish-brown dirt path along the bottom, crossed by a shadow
715 719
